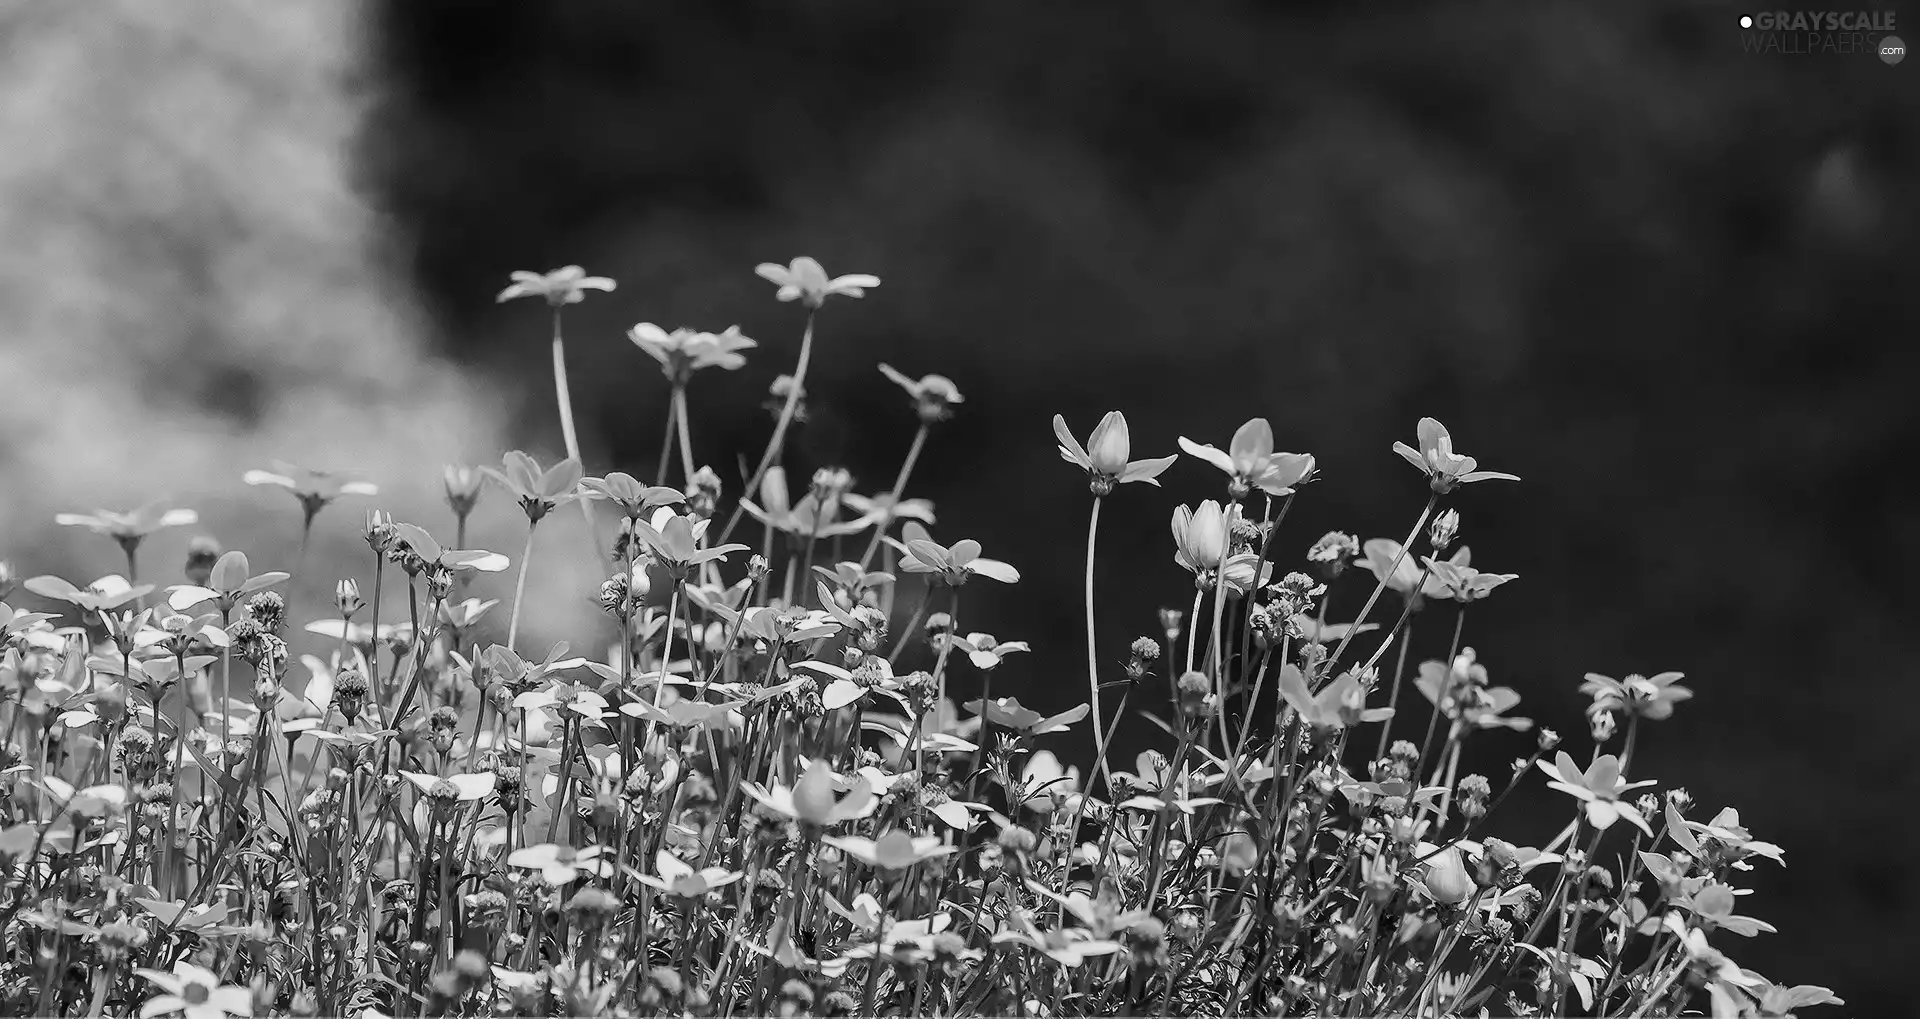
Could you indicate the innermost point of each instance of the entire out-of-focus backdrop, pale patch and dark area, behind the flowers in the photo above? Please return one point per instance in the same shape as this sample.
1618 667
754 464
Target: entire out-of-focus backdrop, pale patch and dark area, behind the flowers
1654 275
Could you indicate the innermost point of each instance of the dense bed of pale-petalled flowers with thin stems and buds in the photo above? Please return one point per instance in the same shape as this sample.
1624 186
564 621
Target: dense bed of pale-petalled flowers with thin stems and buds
765 801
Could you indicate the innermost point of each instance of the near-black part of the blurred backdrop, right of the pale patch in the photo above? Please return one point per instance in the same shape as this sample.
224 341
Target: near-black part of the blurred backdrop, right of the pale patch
1650 273
